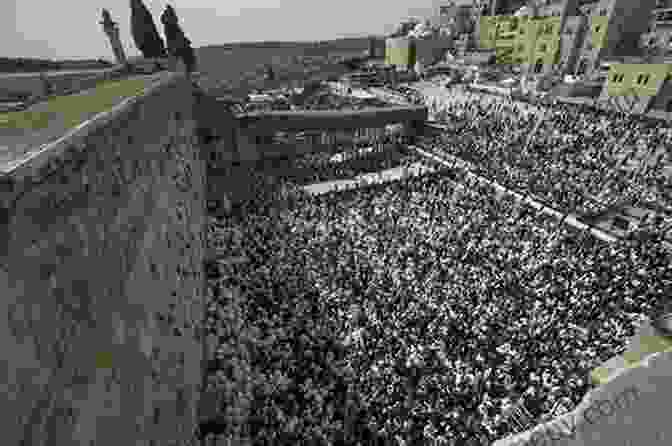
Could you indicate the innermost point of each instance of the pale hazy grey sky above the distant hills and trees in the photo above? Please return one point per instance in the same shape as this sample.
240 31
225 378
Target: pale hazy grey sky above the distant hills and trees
70 29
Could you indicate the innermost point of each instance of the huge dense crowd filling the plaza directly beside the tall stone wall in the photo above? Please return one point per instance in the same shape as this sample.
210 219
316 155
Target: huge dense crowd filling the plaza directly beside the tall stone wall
414 312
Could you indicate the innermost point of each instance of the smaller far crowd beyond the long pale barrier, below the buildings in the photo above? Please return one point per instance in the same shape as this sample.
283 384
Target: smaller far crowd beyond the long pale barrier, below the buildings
574 158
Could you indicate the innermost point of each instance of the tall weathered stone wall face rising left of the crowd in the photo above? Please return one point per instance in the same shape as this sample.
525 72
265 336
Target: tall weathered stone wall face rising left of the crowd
101 257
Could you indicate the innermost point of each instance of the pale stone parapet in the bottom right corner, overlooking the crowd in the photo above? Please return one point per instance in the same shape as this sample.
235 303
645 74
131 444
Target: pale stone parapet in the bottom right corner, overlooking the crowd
630 406
